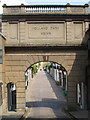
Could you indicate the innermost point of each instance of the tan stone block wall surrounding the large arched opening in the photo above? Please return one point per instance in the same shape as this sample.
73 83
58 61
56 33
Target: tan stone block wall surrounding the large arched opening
17 63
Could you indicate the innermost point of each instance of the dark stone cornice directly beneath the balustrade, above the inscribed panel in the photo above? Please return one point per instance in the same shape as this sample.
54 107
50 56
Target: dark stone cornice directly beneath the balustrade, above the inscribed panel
45 17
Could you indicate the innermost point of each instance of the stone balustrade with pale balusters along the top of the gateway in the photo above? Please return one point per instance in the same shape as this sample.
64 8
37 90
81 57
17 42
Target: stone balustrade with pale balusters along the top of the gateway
47 9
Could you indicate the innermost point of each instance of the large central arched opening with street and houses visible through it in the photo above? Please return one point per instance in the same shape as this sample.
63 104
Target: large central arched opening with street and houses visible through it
46 89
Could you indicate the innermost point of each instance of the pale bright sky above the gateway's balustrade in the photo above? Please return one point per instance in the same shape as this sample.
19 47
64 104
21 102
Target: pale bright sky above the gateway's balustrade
40 2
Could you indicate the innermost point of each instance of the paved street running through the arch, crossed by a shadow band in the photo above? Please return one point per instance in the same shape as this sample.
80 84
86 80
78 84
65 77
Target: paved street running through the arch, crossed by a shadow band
44 98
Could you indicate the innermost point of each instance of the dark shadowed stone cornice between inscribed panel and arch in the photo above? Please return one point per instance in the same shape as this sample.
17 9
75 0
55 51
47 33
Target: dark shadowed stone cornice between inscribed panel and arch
10 49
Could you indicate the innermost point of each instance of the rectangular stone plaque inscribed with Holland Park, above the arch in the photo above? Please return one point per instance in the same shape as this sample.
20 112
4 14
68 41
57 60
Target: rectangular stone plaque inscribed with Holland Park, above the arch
46 31
